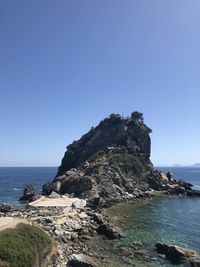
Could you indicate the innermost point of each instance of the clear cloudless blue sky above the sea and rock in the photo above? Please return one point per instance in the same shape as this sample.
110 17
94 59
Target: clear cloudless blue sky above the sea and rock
65 65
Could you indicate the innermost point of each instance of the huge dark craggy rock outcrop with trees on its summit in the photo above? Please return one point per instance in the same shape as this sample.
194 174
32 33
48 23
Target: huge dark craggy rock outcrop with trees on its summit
110 161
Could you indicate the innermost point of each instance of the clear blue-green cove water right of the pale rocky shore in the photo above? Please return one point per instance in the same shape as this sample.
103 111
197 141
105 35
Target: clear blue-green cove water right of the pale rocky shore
166 219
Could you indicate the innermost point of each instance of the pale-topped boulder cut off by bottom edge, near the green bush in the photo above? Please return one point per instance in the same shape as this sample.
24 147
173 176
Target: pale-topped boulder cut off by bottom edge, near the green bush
81 260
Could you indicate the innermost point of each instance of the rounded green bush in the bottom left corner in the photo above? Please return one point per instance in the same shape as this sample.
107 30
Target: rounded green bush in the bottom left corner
24 246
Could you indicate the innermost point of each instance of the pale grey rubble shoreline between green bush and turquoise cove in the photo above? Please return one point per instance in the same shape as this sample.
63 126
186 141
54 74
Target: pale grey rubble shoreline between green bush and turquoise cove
70 230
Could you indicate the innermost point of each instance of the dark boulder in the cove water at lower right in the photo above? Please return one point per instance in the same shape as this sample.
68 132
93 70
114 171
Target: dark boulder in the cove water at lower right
174 253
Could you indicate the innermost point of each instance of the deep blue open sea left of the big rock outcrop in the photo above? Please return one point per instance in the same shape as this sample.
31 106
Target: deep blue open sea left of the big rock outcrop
14 179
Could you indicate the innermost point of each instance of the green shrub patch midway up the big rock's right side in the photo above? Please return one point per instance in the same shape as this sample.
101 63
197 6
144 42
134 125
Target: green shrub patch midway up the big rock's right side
126 162
